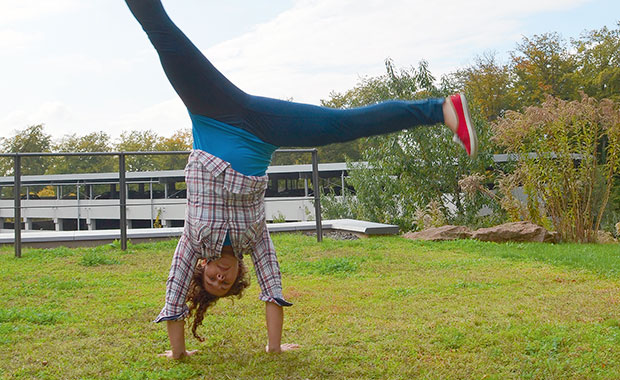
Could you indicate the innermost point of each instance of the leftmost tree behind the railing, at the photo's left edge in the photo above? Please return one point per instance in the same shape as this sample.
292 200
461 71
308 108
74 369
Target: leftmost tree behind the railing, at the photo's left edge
31 139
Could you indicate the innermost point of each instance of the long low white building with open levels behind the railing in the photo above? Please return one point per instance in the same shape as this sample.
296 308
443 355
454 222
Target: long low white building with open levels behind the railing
70 202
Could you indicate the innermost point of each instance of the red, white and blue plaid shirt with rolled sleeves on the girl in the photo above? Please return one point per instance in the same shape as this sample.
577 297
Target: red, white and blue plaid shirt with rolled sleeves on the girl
221 200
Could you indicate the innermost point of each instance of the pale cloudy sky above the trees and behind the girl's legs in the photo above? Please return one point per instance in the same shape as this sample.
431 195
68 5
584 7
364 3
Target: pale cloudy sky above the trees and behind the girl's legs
82 66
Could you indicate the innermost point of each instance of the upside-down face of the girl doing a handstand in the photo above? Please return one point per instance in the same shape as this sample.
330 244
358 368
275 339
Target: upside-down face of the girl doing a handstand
220 275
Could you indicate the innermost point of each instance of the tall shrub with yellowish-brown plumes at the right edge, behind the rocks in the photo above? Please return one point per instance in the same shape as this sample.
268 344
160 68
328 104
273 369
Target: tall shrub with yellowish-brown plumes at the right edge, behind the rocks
568 154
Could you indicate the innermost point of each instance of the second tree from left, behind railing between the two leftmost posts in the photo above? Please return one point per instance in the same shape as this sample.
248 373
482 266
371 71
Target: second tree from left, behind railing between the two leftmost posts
92 142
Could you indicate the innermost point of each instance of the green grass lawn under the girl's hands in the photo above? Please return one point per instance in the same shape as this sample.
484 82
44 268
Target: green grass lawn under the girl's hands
379 308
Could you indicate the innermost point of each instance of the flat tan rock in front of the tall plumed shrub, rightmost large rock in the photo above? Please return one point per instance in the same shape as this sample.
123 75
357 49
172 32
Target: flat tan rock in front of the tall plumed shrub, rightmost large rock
516 231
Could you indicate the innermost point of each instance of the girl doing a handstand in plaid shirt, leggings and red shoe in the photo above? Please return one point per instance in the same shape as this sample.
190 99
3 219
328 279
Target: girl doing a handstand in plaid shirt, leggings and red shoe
235 135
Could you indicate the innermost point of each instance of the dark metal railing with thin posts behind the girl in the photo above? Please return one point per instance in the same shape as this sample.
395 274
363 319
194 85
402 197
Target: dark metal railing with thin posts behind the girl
17 185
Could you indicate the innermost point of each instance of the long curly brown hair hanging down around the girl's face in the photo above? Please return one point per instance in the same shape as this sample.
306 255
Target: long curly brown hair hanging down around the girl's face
200 300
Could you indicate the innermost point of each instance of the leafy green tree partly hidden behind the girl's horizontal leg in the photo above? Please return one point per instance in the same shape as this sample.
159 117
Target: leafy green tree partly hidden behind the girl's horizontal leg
410 169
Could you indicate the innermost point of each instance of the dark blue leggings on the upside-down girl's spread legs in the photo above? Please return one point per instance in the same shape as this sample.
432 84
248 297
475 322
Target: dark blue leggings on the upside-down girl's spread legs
205 91
